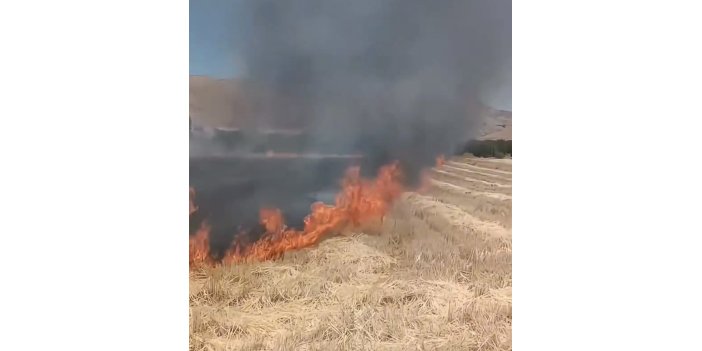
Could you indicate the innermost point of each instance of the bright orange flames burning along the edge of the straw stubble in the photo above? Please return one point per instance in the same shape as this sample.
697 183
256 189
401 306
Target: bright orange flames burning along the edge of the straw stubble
359 200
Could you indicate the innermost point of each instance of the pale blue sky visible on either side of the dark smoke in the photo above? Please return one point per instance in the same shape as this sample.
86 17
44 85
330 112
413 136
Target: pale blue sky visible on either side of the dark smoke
215 37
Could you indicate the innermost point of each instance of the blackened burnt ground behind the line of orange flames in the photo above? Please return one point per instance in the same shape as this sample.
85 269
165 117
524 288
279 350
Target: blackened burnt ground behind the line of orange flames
234 183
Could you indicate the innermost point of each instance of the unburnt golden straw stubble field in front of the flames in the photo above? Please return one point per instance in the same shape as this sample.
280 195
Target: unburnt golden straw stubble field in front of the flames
436 274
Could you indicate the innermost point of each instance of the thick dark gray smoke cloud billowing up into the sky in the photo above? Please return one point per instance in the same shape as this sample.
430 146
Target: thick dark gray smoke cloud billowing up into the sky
389 78
